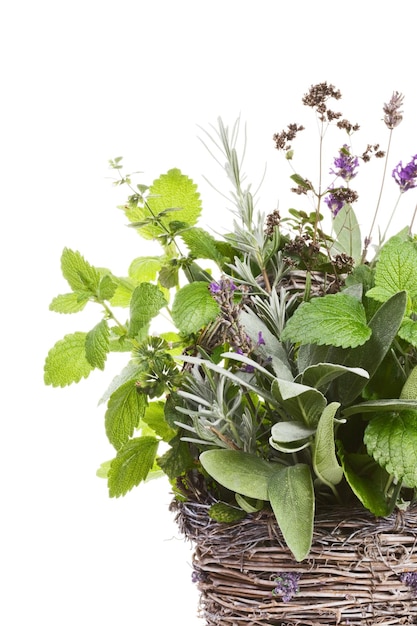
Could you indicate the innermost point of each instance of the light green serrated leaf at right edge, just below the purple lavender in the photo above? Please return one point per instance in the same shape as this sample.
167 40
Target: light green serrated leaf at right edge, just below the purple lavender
395 270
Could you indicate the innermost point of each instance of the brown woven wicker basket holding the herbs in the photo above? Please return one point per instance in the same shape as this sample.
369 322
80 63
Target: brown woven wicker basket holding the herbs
355 575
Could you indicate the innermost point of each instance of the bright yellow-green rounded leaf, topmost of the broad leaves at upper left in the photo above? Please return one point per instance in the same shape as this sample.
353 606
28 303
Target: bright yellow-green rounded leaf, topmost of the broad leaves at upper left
171 191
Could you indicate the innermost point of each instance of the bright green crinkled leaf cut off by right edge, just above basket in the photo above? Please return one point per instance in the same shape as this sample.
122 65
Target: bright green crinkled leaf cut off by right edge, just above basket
391 438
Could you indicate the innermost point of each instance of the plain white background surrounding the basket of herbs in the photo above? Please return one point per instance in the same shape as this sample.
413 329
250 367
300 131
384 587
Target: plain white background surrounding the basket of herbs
83 82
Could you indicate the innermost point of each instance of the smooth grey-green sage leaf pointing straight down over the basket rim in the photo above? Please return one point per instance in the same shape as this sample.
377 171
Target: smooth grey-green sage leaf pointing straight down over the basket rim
291 493
